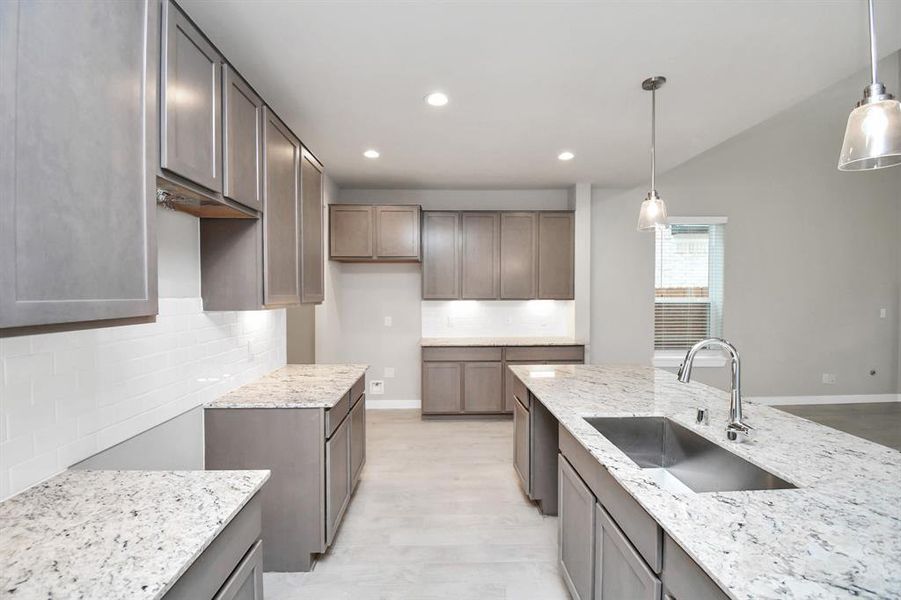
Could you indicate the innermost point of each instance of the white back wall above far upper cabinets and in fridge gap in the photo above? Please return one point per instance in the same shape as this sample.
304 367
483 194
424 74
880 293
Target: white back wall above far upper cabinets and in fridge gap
350 323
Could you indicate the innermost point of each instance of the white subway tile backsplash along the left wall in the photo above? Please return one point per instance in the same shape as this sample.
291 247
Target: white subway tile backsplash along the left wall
66 396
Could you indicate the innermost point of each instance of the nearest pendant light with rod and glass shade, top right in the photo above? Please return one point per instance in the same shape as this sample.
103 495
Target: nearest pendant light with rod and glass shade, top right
873 135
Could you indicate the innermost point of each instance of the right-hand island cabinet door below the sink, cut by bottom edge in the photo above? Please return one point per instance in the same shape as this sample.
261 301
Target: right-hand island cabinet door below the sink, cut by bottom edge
619 571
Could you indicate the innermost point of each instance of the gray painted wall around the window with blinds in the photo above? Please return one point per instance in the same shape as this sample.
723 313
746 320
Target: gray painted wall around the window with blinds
812 254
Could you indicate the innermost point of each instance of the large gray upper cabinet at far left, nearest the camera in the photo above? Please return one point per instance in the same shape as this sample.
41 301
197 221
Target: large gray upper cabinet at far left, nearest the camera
77 185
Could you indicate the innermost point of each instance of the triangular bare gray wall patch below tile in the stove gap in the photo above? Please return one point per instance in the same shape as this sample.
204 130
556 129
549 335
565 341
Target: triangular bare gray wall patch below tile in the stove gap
174 445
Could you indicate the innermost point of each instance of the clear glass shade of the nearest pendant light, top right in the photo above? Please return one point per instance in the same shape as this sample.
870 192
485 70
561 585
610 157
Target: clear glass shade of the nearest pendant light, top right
873 137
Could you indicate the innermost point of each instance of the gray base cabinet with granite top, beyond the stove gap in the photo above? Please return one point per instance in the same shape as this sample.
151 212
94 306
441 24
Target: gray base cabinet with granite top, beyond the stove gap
307 424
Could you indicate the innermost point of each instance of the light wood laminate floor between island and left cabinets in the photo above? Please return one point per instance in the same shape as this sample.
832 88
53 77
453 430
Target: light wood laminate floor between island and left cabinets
438 514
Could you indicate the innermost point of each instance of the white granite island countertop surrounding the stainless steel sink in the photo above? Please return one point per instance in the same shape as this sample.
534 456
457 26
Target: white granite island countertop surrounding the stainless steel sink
837 536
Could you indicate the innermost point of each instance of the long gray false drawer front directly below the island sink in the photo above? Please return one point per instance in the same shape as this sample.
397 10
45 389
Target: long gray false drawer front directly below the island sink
641 529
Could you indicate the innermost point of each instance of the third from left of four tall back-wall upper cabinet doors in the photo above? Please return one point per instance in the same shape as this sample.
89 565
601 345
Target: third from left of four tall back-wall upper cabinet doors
519 256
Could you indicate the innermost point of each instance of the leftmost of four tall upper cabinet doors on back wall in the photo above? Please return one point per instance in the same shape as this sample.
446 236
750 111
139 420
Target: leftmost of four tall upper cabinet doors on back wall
440 255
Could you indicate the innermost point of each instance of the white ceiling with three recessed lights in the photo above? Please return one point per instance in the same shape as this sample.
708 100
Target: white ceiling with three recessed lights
529 79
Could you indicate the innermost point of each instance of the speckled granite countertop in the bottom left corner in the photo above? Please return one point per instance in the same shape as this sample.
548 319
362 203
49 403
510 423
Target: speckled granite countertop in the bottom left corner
115 534
